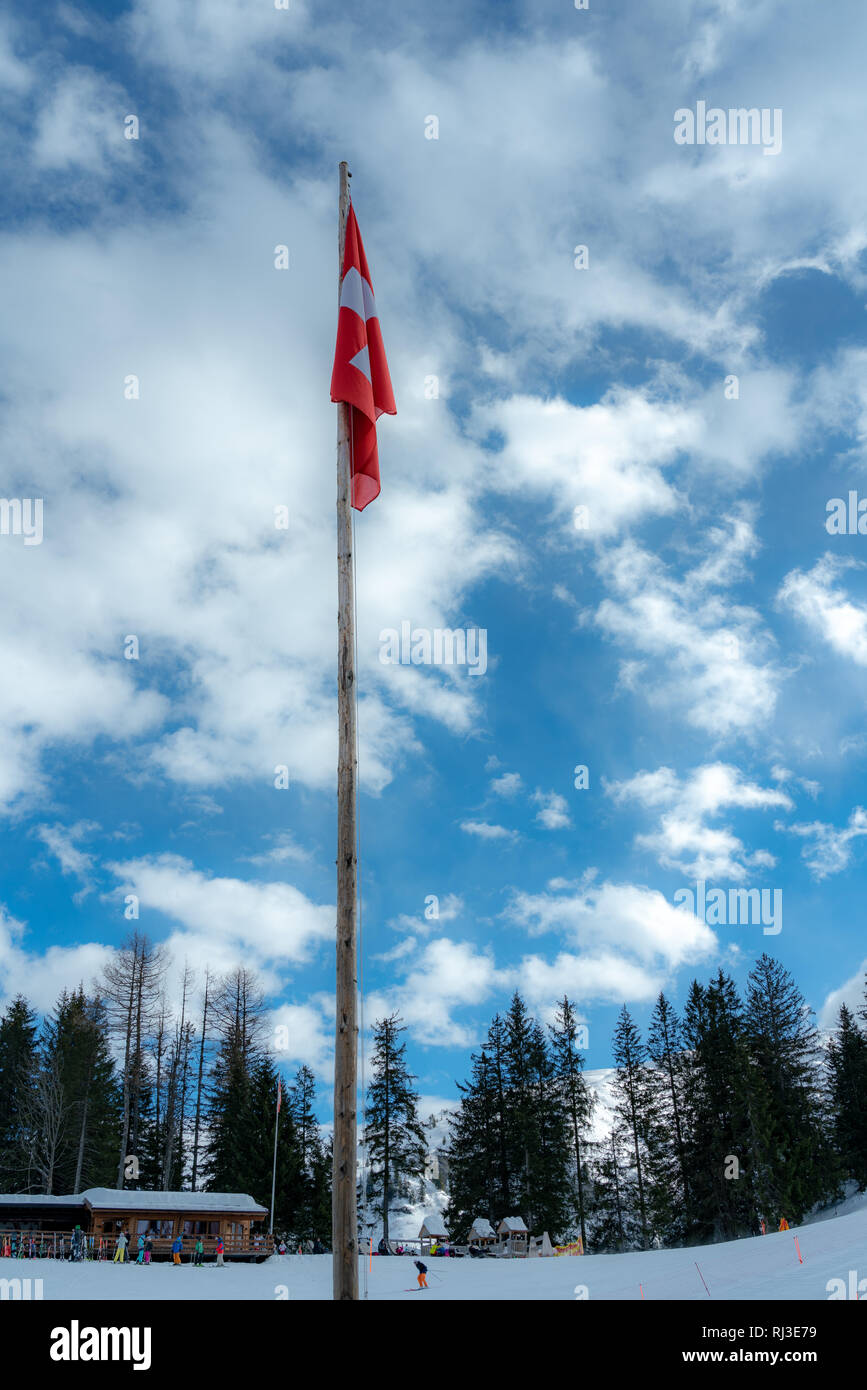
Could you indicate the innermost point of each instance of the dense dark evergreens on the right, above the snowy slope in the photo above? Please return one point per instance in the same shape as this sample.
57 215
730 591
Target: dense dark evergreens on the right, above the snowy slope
726 1117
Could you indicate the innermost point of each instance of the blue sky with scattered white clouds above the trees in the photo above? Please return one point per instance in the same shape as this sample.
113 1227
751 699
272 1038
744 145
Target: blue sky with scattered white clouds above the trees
701 644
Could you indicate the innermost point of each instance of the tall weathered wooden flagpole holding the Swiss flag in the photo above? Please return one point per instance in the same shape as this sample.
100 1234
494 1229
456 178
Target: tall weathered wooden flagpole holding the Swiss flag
344 1211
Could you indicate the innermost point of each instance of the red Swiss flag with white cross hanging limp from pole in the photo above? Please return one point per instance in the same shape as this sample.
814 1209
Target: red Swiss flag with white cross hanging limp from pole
361 372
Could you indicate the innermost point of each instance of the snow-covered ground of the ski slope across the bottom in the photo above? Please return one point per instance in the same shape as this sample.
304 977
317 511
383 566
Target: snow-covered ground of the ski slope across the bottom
759 1268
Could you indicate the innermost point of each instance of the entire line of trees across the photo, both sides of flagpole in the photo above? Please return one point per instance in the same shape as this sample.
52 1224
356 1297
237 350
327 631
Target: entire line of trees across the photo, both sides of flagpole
727 1115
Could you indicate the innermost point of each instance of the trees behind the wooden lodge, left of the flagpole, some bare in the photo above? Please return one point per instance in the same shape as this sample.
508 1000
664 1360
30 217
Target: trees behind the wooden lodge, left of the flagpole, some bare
120 1089
